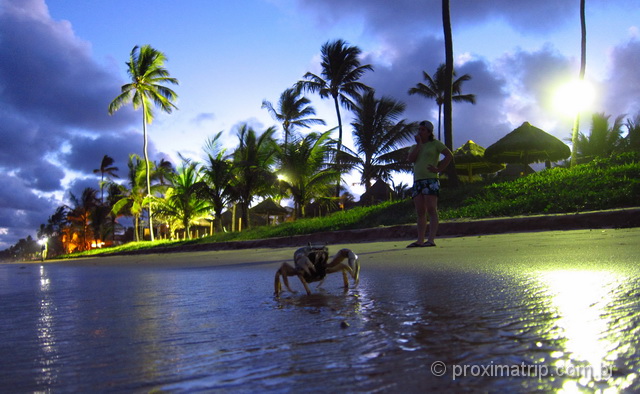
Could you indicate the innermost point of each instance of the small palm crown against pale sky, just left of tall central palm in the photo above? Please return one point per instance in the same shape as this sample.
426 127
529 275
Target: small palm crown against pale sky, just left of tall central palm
294 111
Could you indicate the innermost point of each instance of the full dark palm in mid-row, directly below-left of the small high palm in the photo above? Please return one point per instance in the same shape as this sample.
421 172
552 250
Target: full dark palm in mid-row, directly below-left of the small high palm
252 162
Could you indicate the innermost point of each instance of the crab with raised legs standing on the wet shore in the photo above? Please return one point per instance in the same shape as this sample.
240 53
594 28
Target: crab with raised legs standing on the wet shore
311 265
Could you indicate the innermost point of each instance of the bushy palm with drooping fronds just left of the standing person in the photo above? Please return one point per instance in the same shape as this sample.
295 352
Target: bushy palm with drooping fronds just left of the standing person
378 134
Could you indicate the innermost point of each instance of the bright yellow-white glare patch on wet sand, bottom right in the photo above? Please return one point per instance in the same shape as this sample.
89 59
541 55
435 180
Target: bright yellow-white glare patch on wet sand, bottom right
589 320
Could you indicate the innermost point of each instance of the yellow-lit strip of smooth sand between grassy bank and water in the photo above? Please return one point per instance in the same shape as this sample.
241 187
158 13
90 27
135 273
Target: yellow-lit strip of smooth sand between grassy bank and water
574 248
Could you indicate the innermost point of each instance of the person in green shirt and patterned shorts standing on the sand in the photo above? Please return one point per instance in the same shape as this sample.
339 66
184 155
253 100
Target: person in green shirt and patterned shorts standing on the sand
426 187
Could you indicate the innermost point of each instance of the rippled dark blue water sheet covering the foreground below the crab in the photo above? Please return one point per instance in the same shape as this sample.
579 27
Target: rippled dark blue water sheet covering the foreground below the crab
83 328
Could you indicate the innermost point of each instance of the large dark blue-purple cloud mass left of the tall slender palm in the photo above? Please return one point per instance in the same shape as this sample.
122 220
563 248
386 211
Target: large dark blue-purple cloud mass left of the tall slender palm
53 99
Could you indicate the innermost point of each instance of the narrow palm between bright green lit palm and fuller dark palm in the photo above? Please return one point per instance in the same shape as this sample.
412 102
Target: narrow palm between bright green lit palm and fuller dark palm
218 174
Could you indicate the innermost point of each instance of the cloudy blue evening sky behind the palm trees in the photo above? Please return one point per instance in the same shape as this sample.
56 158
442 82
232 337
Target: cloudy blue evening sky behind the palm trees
63 61
